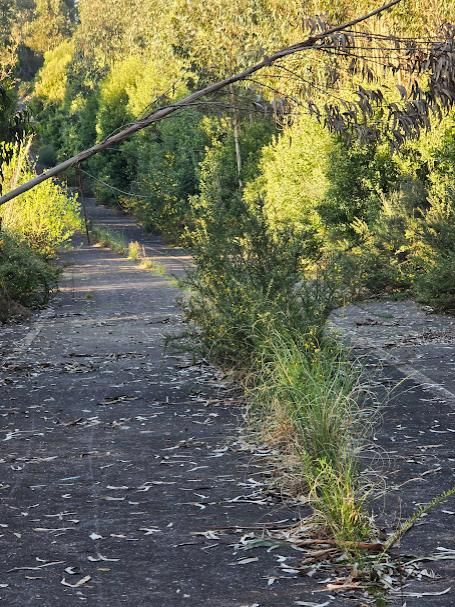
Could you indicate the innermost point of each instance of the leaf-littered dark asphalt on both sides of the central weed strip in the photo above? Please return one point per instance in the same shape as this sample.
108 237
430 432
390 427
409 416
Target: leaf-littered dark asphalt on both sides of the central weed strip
119 459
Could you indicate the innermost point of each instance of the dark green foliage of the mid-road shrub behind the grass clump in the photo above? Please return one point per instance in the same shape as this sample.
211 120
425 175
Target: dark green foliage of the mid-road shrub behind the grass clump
240 285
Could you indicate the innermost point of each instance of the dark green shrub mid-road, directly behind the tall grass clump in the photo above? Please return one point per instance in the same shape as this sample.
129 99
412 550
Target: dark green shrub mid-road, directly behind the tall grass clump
246 278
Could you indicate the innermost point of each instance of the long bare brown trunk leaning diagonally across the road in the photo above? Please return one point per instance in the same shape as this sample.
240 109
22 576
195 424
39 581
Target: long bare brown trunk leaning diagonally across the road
170 109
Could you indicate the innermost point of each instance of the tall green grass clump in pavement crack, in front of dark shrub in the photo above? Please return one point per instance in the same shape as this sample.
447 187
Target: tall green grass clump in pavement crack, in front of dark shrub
308 399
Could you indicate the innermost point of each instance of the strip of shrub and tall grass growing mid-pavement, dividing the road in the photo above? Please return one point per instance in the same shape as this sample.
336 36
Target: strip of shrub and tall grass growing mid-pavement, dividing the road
259 311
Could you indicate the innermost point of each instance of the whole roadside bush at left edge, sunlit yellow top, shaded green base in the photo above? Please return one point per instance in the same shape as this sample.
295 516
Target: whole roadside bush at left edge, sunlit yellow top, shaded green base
34 227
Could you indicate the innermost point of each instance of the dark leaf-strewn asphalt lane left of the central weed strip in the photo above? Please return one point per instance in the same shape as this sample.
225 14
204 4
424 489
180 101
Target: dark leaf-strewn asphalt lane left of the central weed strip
116 454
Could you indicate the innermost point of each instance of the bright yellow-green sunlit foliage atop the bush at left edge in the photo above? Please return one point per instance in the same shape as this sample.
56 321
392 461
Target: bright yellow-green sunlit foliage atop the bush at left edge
45 217
